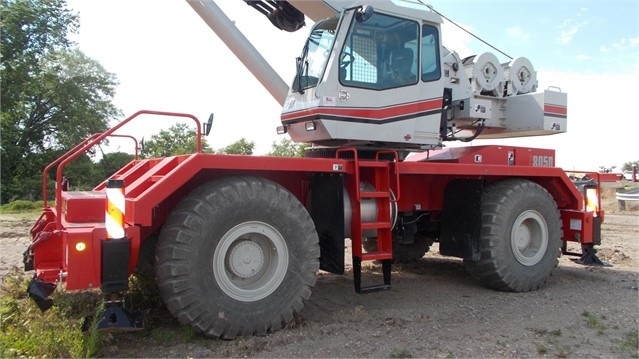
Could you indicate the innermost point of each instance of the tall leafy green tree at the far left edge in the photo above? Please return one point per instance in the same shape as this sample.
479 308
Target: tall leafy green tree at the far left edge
53 96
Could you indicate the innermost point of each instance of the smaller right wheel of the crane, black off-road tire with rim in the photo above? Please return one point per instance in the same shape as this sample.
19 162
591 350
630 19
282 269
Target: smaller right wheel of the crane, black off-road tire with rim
520 236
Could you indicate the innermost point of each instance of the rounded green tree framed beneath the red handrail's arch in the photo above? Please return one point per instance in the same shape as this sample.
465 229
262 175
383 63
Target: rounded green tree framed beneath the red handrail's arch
179 139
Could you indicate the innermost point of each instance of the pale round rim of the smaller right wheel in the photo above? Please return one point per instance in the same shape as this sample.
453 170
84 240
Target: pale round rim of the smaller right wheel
529 238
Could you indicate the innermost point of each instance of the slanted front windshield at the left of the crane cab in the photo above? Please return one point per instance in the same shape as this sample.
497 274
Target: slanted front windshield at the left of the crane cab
312 61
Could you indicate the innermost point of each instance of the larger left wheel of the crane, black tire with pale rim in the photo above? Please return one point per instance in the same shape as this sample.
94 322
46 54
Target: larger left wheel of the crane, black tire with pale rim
237 256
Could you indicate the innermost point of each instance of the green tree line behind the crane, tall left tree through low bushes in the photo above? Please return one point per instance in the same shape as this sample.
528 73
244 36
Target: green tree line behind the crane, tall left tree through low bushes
54 96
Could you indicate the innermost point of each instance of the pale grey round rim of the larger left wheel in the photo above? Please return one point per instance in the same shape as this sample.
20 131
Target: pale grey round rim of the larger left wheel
250 261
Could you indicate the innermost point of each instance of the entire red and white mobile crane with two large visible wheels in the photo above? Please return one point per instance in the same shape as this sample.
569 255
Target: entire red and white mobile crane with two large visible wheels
238 240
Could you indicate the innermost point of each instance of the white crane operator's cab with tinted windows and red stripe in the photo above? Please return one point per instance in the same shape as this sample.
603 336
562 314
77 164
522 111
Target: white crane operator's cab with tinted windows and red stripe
369 77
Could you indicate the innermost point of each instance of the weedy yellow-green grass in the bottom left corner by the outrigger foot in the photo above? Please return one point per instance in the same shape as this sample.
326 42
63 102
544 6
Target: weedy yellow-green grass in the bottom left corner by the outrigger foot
27 332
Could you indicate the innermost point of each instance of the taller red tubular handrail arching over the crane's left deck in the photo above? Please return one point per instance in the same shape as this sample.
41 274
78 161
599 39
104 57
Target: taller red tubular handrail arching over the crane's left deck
93 140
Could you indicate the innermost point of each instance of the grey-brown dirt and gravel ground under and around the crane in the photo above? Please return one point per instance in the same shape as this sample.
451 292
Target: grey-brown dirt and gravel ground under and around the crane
435 310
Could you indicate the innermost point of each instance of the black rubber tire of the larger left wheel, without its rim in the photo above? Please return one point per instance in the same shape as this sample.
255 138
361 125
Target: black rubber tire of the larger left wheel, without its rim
179 242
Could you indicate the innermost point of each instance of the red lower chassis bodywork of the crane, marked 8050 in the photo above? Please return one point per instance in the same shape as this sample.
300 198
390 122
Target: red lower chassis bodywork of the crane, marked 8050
69 247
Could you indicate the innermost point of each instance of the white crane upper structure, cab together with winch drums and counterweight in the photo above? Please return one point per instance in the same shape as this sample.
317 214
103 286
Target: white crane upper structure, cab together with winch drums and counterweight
380 78
